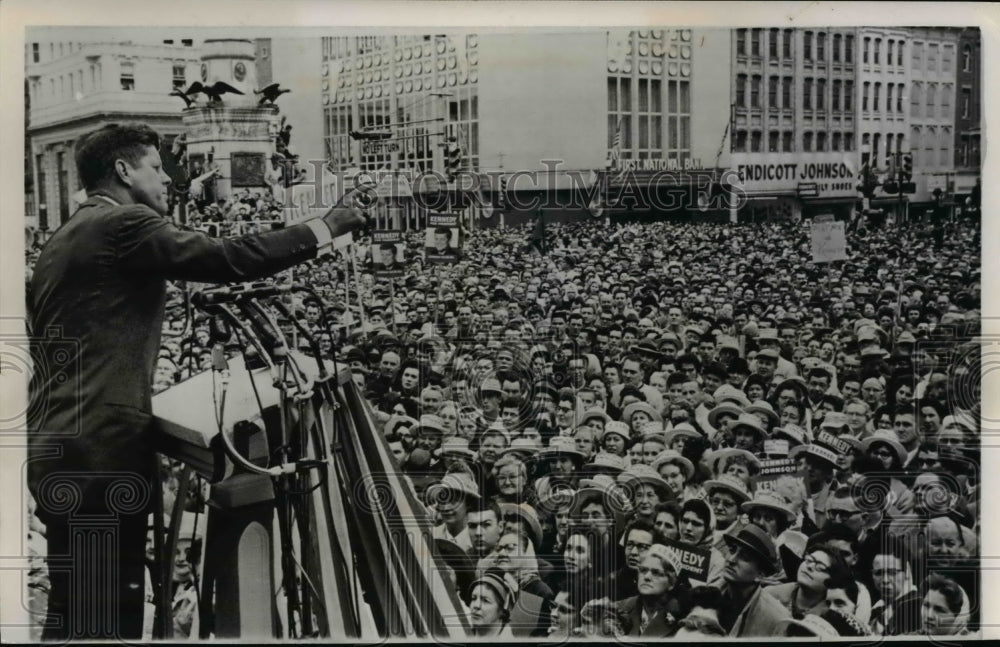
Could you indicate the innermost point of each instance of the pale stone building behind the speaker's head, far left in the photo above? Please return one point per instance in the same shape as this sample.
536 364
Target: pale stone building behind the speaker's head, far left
76 87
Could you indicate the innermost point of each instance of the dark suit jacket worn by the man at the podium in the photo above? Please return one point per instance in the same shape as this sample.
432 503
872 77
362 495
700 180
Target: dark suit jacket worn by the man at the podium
96 308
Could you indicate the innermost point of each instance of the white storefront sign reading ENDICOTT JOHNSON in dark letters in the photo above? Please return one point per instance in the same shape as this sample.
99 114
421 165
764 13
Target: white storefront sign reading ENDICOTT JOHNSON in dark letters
823 175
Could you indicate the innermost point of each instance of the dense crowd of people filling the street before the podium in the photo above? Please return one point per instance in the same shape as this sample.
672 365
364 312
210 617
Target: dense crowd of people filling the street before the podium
667 430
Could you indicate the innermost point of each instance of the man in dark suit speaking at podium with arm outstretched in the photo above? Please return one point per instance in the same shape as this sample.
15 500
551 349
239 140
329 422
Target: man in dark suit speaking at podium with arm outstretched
96 307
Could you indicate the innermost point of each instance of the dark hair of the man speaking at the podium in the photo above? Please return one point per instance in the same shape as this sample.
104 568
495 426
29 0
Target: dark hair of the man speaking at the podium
97 152
